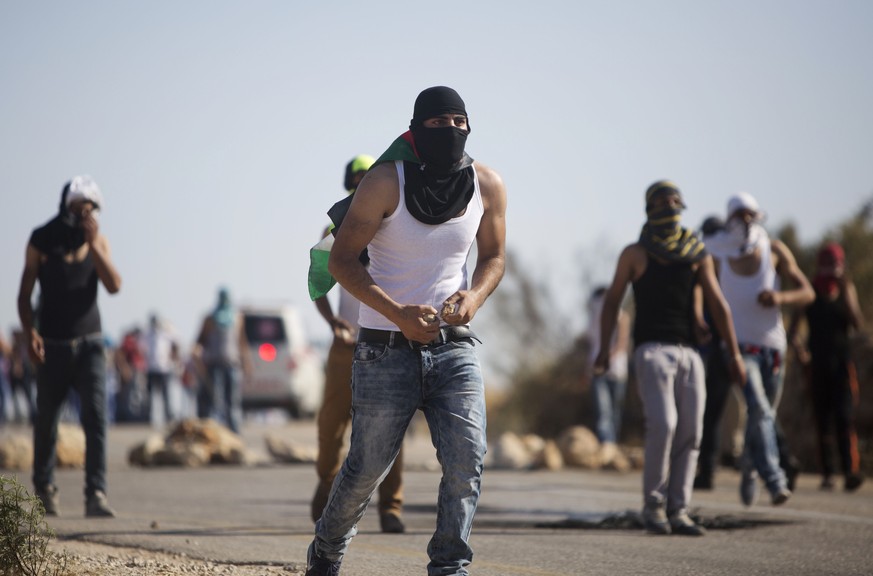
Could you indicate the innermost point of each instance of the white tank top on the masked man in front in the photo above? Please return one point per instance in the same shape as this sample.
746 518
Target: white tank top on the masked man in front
417 263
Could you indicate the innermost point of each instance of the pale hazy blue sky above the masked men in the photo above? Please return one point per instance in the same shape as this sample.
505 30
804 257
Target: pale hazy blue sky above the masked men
218 131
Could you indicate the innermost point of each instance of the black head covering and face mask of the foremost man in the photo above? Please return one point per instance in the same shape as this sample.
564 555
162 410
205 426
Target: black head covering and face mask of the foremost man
439 188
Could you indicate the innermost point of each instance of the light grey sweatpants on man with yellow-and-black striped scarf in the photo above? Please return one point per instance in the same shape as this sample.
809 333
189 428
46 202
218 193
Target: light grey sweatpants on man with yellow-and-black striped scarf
671 382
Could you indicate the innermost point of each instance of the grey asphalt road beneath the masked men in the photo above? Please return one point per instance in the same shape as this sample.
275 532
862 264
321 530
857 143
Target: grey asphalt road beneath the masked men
529 523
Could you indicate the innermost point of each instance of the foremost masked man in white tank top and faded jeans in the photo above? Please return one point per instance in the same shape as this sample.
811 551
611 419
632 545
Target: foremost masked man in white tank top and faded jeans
417 212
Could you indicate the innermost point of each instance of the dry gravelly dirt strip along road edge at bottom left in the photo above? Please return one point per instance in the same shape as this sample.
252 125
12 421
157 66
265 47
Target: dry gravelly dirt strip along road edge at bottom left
90 559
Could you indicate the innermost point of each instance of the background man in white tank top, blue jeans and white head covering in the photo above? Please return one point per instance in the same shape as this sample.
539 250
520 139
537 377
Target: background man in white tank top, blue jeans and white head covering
750 265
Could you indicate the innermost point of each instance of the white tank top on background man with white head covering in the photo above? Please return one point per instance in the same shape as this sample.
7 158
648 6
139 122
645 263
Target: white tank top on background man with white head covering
754 324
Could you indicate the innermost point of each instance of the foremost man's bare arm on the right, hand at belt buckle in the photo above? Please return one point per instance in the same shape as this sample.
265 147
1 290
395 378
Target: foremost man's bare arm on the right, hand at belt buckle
490 247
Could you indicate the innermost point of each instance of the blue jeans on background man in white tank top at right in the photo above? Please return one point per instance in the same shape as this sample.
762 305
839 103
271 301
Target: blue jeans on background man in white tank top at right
763 387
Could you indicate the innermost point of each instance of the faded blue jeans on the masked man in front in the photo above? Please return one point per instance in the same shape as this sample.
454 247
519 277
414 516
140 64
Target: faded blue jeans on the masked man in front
388 385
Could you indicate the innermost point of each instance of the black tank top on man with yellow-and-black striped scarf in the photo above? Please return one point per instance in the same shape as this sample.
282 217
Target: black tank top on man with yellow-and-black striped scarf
664 298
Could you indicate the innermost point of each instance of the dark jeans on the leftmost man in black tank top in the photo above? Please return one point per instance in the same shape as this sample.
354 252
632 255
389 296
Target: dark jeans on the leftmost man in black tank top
80 365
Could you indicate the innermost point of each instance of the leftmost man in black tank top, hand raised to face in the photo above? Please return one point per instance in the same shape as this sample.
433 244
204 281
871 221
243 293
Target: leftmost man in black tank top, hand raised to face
70 258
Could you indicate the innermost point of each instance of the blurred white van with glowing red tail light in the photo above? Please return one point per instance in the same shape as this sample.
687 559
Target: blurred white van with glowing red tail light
286 371
